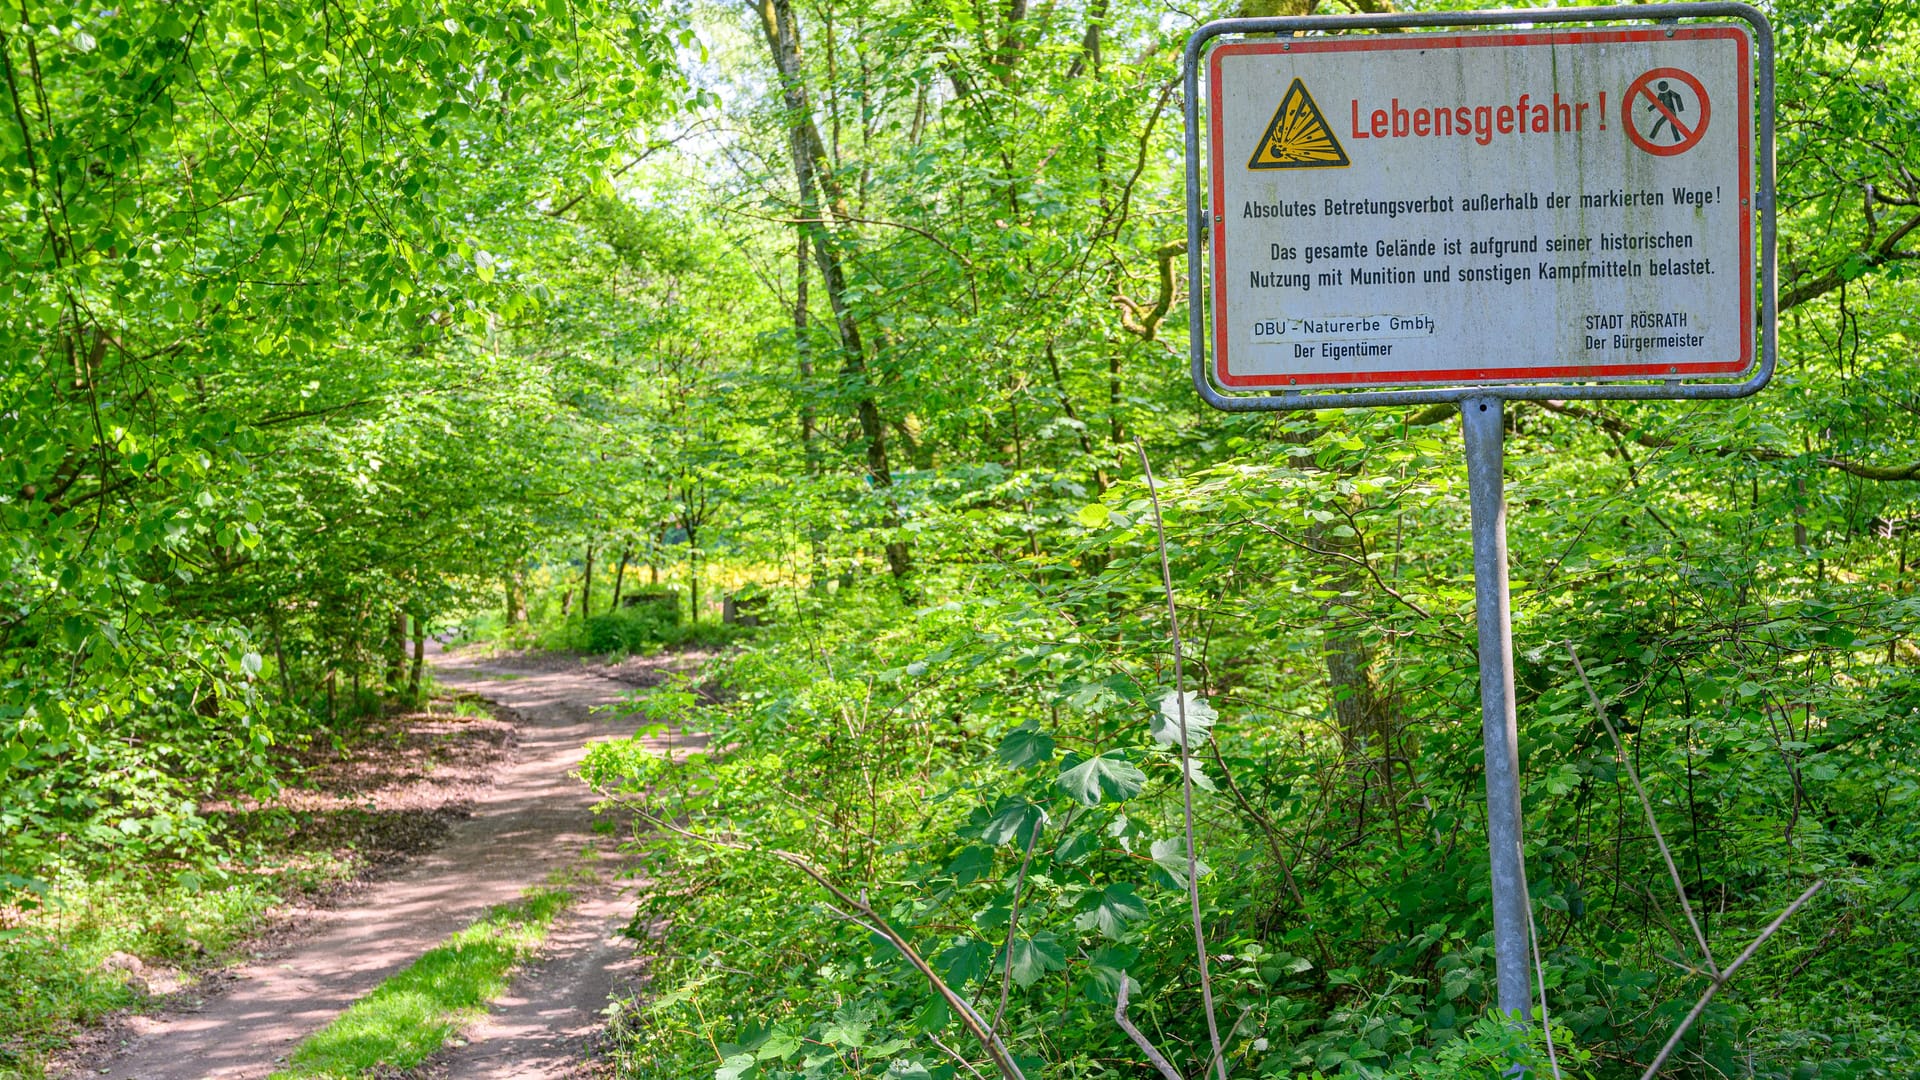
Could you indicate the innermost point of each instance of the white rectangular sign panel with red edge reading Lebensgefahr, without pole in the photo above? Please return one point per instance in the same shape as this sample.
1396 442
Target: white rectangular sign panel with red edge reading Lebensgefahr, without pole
1552 205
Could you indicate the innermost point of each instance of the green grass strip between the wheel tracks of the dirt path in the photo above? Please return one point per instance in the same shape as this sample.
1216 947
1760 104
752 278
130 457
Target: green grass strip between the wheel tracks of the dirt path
418 1010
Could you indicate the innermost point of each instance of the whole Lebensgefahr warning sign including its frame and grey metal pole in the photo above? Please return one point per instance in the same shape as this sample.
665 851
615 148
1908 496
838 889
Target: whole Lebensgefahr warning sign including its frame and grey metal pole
1474 209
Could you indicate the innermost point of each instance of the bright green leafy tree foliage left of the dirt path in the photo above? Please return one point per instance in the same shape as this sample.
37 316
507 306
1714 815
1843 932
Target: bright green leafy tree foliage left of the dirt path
252 408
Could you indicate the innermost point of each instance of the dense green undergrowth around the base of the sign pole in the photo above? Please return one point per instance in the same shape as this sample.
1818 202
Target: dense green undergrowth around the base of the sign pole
994 775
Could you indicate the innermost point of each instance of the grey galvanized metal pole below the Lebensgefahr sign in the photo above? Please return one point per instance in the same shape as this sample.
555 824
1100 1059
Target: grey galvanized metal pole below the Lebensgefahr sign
1481 418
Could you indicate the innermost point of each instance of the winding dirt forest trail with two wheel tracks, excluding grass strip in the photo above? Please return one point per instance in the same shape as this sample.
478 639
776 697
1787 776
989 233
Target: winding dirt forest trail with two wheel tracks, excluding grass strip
537 820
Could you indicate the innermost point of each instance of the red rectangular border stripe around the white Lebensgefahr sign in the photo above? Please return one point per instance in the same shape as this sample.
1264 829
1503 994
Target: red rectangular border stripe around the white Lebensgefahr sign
1483 376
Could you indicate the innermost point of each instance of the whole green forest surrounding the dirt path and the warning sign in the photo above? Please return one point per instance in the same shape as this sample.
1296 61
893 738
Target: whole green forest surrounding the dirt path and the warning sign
836 341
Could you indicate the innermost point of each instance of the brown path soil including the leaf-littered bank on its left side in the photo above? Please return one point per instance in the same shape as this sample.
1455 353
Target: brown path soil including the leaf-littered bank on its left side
469 814
